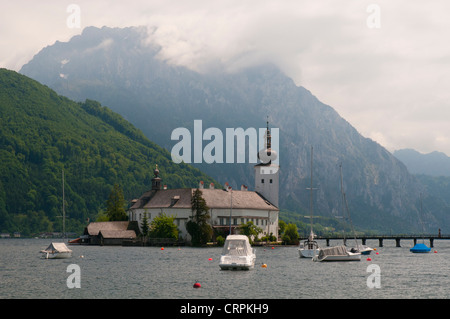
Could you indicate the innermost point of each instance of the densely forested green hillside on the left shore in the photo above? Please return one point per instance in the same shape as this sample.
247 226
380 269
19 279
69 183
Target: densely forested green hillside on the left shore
42 133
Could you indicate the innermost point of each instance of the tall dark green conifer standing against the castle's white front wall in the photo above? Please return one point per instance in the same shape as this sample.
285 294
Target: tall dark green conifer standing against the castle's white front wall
198 226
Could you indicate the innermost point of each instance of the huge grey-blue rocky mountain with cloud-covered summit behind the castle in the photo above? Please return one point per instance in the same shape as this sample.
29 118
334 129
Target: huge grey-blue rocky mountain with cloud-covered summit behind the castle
125 70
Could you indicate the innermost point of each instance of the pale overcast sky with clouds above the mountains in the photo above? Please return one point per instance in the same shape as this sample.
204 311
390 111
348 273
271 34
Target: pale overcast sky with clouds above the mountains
383 65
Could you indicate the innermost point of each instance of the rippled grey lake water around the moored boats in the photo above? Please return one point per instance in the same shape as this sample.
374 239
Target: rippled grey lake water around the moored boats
149 272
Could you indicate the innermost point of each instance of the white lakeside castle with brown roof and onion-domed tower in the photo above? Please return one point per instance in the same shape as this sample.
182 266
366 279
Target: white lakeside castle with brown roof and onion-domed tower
228 208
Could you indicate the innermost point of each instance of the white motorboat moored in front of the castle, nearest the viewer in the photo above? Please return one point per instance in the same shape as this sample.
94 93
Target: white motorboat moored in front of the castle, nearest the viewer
237 254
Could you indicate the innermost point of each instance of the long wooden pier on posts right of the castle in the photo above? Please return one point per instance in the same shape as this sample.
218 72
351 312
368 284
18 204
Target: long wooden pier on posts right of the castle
381 238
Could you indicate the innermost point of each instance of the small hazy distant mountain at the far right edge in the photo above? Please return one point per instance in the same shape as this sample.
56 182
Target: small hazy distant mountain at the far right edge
432 164
